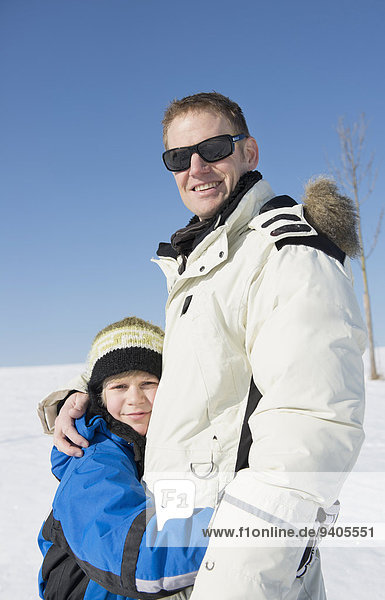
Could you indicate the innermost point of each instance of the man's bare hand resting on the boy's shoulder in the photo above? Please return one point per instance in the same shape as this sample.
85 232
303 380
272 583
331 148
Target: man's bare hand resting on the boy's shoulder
66 438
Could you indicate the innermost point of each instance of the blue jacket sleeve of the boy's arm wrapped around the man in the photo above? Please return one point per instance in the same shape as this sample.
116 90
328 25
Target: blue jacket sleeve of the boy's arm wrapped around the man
102 516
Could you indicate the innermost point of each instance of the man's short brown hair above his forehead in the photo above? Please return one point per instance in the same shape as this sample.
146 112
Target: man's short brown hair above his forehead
212 101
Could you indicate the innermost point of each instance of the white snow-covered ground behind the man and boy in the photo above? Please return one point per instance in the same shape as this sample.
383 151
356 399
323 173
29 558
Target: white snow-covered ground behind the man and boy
27 487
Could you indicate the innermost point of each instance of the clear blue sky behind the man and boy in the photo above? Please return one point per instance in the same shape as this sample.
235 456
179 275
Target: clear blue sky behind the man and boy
85 198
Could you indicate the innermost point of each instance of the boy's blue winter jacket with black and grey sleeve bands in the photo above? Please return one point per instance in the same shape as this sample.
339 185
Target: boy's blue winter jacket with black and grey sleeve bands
96 541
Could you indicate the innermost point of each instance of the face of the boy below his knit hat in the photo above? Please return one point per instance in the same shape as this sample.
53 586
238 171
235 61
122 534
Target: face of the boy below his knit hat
129 398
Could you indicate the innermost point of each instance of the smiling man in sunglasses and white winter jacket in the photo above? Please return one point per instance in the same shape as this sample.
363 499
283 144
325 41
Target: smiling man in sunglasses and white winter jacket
262 379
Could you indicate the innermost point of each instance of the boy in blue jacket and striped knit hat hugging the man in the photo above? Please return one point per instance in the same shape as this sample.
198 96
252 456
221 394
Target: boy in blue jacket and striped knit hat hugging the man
94 541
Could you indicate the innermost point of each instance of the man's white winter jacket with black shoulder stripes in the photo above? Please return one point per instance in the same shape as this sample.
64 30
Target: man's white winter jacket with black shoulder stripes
287 319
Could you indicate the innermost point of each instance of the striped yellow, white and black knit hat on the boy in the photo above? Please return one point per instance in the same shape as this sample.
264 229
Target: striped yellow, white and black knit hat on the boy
128 345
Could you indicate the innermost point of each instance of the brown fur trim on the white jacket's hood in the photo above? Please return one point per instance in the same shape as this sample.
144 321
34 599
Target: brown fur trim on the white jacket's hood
332 214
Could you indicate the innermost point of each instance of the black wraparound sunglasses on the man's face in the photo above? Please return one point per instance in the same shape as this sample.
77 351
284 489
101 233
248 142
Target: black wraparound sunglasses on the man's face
211 150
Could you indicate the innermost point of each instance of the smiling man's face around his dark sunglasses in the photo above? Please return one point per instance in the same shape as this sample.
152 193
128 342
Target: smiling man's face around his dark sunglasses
205 186
